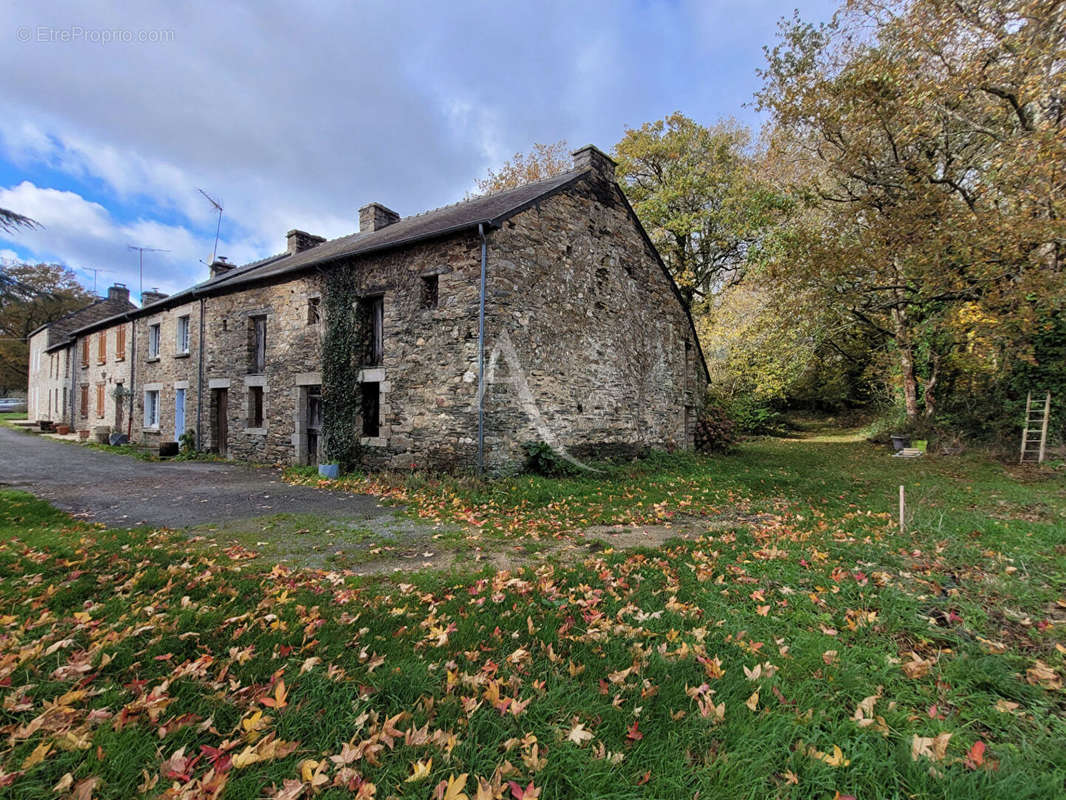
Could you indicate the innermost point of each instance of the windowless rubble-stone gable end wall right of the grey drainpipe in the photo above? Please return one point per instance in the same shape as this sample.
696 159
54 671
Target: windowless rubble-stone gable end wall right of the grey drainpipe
589 347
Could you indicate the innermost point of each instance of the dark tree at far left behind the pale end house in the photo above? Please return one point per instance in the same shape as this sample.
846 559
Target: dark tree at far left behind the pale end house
33 296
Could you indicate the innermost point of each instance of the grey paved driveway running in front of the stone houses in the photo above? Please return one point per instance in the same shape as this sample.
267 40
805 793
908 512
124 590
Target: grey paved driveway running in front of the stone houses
122 491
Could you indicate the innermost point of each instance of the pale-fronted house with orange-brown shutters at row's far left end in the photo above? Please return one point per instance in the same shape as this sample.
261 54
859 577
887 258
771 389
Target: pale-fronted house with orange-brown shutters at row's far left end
60 365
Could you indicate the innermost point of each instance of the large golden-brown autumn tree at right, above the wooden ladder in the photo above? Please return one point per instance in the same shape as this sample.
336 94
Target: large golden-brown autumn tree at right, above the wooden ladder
928 140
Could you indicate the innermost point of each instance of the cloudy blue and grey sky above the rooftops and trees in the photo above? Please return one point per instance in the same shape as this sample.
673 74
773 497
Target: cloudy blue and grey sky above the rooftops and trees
296 118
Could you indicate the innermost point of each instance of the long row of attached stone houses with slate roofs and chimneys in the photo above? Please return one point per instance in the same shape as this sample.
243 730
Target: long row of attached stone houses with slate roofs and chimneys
538 314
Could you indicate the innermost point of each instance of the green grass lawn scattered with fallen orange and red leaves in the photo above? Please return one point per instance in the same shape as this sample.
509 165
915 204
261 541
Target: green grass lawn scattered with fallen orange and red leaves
802 648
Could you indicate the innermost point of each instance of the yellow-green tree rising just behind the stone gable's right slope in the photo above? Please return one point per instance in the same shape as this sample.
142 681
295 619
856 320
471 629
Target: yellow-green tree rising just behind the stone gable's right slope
692 188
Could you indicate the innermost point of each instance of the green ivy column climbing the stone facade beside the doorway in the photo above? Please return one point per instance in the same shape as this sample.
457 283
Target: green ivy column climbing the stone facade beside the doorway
341 369
